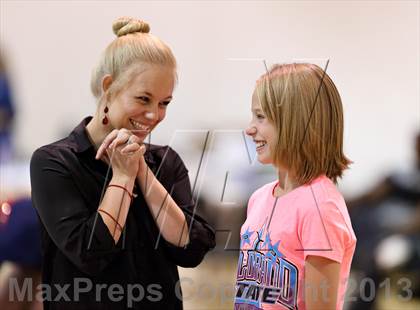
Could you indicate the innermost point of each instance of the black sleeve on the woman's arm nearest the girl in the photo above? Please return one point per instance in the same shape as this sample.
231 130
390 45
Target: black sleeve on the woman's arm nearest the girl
201 235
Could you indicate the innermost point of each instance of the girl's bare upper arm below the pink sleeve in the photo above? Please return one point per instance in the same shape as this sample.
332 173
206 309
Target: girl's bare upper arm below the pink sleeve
321 283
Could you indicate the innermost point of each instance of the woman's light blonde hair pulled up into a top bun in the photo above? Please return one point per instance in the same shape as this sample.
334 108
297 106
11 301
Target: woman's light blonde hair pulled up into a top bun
134 45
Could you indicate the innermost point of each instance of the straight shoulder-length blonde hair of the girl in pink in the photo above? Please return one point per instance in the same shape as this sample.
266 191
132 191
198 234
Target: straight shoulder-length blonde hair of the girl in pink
302 102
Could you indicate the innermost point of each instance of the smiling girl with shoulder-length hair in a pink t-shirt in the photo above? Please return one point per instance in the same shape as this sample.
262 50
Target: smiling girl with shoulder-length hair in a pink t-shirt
297 242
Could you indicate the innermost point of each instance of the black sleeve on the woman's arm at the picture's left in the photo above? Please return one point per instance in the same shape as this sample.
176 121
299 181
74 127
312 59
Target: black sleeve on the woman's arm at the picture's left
66 217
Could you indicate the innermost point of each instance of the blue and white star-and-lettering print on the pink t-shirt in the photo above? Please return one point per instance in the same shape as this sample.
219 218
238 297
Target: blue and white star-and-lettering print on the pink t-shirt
264 274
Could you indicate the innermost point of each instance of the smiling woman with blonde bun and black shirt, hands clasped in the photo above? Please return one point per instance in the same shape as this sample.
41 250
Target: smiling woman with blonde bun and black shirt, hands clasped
117 214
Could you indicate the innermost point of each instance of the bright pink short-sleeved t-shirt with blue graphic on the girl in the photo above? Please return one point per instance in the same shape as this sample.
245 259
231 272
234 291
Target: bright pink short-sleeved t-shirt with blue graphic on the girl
278 235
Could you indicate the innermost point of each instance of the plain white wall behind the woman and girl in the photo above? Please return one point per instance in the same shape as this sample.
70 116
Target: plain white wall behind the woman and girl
373 49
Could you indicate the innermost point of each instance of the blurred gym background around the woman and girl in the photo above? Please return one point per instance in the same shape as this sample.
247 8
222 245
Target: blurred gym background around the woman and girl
48 49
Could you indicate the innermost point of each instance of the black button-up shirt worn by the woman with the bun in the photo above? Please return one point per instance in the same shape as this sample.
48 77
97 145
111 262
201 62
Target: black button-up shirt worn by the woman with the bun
78 249
